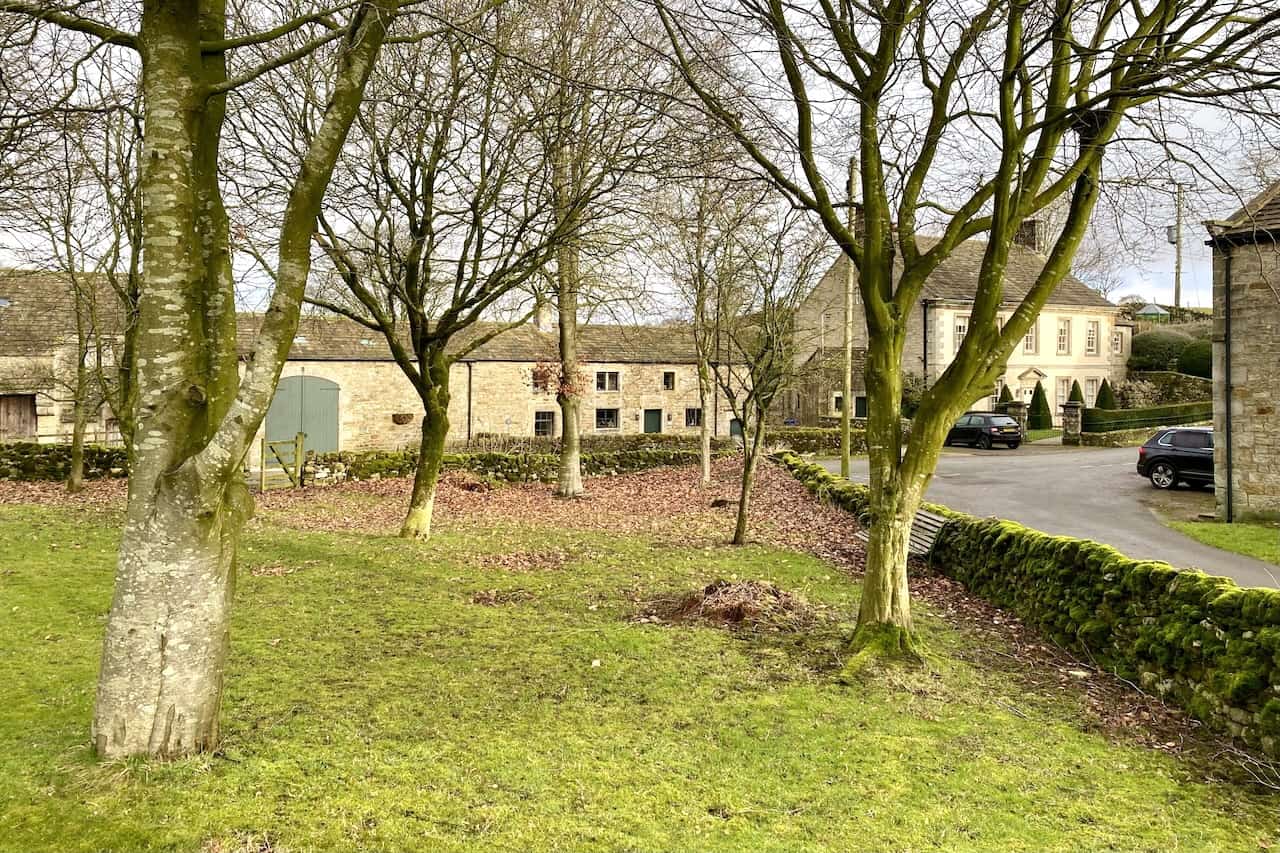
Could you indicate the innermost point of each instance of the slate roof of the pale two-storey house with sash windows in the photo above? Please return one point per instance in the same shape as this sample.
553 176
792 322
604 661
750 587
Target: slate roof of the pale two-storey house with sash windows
957 279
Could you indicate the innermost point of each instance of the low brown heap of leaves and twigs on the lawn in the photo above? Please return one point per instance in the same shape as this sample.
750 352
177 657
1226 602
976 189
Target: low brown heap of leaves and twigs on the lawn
740 604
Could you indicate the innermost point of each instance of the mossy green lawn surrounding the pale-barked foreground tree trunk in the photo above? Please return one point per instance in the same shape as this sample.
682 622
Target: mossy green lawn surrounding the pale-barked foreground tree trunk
371 706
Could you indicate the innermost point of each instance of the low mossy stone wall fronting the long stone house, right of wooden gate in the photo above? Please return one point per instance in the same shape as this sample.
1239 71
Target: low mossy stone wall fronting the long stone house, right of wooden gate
508 468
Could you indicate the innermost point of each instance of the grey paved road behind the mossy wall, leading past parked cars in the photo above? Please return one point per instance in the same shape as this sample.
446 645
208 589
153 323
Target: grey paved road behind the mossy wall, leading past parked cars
1084 492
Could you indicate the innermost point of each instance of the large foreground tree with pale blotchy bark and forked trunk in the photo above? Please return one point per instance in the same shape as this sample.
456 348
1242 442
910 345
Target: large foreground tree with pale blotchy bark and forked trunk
163 660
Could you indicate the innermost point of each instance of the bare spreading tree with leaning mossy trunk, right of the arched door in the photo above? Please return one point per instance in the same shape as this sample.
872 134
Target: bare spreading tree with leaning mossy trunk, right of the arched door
447 208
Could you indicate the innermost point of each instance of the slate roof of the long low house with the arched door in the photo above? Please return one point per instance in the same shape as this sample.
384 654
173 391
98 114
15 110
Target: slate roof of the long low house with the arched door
335 339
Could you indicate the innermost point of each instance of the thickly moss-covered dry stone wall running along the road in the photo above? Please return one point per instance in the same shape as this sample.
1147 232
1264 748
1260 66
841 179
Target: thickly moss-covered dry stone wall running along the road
1199 641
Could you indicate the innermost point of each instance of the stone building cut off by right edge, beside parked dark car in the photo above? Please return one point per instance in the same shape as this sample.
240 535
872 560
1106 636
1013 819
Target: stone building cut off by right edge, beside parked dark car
1247 359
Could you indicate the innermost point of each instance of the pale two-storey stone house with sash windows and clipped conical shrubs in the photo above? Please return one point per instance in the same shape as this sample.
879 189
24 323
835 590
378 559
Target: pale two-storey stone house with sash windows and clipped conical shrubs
1080 336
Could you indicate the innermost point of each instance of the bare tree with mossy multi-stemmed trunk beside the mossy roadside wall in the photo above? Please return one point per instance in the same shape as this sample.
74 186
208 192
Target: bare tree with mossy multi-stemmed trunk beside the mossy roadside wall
968 120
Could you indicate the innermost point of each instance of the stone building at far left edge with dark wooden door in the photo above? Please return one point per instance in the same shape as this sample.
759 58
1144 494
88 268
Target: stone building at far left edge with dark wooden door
39 353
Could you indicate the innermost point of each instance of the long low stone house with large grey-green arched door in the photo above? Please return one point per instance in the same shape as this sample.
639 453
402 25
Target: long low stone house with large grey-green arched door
342 387
